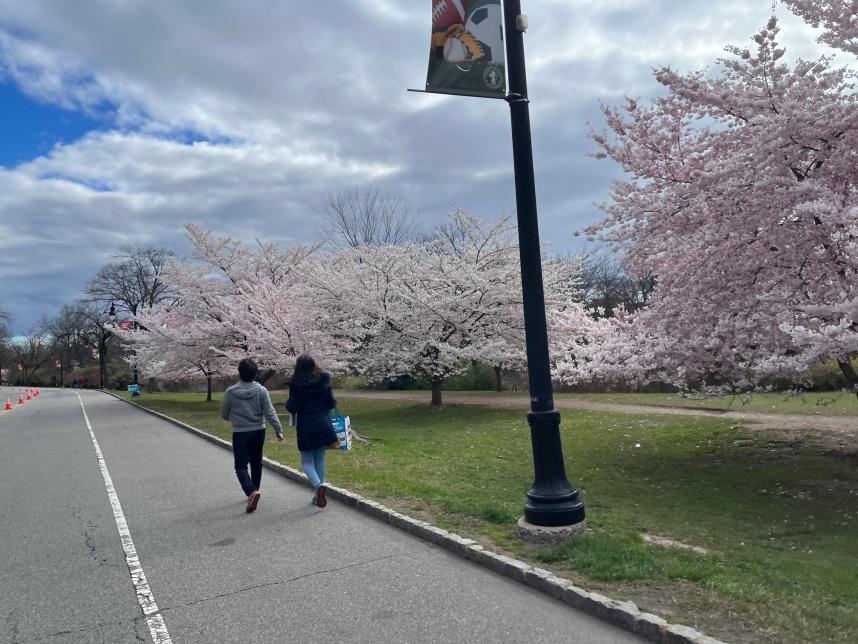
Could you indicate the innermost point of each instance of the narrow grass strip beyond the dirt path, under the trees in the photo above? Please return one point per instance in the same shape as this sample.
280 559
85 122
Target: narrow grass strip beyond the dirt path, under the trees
811 403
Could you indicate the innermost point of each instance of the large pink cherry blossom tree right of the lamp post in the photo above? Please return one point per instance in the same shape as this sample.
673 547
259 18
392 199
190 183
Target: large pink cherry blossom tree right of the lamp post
741 200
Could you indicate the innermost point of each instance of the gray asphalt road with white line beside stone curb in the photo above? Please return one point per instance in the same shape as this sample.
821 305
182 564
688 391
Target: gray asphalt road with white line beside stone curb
208 572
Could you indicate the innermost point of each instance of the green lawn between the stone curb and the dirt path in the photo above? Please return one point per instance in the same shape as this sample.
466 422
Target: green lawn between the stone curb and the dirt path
779 519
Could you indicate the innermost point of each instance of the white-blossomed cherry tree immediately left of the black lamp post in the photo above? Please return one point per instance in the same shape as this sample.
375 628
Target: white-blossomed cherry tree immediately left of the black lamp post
428 308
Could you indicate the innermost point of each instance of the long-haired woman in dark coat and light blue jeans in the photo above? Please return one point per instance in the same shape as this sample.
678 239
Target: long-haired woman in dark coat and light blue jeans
311 399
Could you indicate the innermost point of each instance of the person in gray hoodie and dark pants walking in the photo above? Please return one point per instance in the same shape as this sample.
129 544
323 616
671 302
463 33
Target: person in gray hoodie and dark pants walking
247 406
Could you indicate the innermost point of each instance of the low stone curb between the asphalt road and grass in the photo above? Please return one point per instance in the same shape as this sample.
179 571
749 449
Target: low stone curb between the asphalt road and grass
625 615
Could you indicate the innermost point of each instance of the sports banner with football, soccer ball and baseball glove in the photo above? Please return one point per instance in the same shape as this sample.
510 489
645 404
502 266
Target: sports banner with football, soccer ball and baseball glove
467 55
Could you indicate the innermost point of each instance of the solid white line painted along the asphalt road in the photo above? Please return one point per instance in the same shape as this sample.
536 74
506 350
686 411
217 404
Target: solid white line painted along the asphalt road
154 619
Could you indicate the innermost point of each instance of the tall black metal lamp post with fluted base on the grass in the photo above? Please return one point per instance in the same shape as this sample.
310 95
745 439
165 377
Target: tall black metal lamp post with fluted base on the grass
552 500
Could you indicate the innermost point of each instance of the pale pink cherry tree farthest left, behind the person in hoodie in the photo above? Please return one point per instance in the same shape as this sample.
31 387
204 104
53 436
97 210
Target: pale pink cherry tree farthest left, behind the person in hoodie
233 301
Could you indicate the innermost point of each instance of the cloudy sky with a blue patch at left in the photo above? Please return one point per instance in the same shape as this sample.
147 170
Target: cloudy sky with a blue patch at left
123 120
